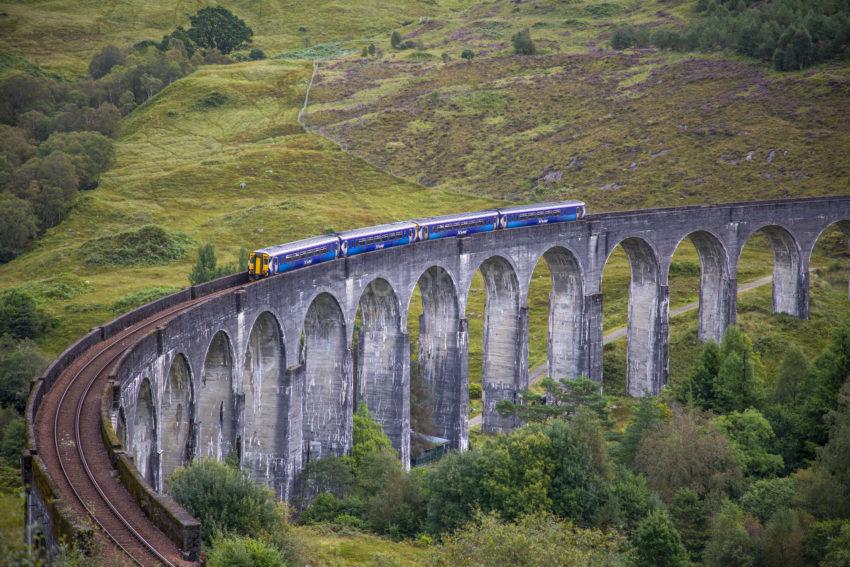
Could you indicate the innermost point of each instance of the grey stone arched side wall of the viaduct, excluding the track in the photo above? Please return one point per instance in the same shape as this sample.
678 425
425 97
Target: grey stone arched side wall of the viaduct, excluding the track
270 371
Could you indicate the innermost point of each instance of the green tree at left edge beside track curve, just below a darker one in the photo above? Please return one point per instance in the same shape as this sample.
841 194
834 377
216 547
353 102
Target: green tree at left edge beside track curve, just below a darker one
20 363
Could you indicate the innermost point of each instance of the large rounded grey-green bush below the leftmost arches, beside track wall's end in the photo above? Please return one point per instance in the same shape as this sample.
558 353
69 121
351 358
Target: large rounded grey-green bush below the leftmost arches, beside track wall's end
226 499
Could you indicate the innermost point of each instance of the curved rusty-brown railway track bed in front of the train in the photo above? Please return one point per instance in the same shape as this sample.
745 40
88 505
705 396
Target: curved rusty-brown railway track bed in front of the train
70 443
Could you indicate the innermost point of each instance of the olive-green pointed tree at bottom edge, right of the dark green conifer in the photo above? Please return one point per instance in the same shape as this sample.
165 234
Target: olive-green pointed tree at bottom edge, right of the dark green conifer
729 542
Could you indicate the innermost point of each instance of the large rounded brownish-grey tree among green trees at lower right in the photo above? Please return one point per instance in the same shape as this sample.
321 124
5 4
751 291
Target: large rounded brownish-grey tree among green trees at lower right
689 451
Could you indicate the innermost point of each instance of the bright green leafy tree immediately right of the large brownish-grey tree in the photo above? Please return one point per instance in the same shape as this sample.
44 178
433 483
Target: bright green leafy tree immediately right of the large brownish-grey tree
752 437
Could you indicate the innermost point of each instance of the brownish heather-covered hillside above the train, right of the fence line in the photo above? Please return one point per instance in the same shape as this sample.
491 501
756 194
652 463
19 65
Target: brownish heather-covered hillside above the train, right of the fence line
618 129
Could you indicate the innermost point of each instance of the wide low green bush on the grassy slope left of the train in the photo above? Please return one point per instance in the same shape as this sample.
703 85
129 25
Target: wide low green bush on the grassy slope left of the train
148 245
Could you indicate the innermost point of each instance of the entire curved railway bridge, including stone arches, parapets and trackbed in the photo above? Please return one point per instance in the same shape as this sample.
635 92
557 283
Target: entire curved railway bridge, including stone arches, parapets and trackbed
271 369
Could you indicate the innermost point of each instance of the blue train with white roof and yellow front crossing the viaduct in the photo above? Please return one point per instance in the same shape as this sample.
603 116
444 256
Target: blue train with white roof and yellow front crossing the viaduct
287 257
